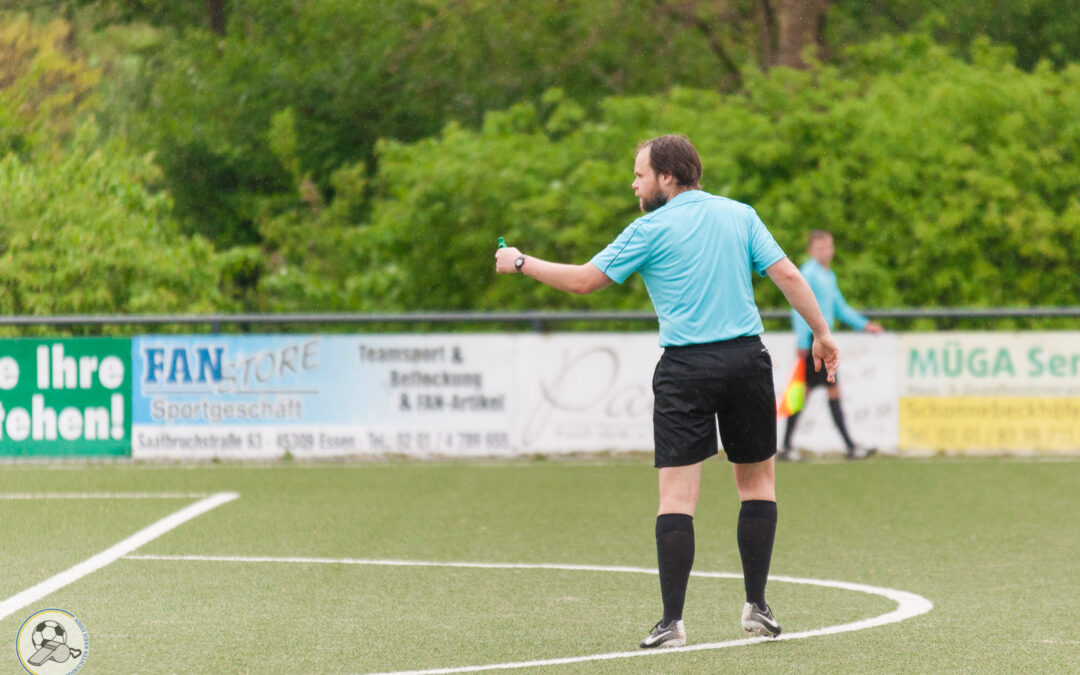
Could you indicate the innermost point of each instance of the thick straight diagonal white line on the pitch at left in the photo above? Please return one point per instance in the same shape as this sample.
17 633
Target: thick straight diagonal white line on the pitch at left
113 553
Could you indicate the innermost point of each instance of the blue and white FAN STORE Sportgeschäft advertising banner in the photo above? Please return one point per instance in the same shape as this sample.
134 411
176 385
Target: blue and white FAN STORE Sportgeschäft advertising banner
233 397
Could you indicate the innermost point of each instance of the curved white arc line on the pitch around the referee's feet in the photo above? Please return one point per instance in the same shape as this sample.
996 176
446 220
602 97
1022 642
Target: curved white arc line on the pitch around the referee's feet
909 605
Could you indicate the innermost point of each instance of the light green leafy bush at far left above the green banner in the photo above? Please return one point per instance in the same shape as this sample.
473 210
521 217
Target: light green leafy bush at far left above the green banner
82 235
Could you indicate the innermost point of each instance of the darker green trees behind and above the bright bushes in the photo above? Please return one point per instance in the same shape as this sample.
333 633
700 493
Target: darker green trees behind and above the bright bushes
354 73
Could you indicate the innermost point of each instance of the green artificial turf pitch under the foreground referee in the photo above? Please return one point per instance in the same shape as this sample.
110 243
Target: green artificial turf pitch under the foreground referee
993 543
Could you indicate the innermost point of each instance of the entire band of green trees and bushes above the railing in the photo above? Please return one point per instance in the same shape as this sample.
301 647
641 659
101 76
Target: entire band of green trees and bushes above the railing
340 156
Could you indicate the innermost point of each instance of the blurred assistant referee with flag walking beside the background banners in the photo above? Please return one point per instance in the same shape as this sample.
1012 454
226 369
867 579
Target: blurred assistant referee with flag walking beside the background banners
822 281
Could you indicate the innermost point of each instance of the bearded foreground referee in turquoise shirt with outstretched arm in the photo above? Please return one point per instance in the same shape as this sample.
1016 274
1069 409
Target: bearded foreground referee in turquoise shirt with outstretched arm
697 254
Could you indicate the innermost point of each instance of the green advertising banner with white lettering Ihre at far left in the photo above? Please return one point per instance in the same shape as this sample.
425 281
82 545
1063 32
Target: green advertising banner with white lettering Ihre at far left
65 397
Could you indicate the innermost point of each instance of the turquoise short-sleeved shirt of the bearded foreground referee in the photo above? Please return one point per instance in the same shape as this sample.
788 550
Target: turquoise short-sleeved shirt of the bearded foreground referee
696 254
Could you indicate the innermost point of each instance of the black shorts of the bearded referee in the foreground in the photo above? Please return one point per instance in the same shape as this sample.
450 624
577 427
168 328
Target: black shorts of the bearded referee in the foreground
698 386
